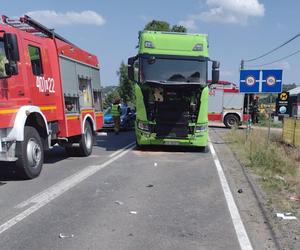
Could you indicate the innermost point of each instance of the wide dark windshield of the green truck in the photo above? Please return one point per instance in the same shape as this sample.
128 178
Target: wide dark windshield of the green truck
173 70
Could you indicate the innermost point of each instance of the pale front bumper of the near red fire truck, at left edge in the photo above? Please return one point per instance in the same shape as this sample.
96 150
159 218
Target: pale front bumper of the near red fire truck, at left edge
7 147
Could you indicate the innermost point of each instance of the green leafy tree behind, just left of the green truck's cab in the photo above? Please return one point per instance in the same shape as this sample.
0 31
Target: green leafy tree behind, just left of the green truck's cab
126 87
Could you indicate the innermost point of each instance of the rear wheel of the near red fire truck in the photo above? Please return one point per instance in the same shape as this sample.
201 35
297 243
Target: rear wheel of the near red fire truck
86 142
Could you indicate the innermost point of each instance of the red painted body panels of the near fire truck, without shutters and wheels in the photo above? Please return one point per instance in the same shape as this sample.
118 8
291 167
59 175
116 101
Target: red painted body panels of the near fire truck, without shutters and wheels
21 89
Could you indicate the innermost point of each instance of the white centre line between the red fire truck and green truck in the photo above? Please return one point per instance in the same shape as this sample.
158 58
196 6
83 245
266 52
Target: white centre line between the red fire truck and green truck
43 198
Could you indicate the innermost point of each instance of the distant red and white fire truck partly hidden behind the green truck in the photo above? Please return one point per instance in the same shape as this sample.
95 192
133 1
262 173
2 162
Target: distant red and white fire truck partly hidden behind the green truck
226 104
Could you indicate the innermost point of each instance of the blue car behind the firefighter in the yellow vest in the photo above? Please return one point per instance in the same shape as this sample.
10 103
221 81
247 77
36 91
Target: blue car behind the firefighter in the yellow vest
127 118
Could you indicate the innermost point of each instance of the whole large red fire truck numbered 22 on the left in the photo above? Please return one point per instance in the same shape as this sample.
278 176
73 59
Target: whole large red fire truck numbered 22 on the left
49 93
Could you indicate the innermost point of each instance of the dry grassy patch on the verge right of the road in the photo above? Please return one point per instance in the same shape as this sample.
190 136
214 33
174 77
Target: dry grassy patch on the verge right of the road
270 160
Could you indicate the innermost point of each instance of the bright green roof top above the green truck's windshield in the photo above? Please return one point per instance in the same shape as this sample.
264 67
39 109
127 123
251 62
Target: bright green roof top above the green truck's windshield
172 43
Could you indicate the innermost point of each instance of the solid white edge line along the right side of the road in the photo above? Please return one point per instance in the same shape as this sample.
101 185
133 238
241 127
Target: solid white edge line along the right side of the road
240 230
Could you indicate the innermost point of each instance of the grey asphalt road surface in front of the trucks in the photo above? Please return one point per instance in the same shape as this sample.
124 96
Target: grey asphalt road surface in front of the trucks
118 198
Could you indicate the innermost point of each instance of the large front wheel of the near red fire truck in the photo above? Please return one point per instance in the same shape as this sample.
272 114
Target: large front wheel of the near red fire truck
30 154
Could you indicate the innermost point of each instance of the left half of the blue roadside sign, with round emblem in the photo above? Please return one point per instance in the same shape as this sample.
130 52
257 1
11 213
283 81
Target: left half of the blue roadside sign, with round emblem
249 81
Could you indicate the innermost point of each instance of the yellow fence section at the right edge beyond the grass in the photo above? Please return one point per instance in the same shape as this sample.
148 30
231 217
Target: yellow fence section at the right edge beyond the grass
291 131
